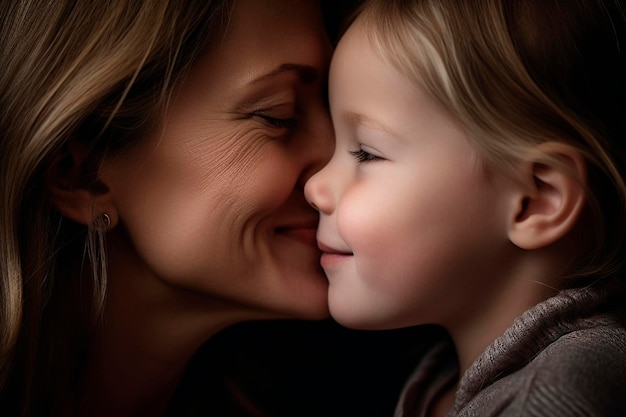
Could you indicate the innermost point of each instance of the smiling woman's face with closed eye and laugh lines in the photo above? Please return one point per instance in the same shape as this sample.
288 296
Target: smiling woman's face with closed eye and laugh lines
214 202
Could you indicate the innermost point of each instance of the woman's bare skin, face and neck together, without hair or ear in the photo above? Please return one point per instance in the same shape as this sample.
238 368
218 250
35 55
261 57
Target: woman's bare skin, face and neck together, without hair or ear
210 224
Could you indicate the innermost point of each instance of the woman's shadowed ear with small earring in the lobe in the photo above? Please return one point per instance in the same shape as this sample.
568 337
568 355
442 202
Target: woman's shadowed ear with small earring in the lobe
75 192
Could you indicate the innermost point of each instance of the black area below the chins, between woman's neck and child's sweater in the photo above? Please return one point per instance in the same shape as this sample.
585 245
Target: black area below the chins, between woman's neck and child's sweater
303 369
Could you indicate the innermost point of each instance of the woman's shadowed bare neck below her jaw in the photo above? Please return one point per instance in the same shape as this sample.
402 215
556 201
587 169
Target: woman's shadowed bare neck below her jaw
149 333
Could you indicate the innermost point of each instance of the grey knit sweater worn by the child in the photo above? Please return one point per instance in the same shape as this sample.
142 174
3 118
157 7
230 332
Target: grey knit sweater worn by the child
564 357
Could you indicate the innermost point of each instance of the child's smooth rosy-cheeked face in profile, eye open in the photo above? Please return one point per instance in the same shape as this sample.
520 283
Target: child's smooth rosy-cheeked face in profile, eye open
411 224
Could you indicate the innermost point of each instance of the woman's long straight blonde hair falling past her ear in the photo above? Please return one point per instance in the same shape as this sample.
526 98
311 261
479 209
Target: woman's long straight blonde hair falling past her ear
89 71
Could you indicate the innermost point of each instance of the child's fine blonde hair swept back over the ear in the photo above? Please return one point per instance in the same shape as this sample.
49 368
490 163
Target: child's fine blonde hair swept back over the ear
516 73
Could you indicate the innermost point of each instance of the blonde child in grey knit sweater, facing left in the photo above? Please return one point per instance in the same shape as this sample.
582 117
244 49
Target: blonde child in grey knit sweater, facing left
478 183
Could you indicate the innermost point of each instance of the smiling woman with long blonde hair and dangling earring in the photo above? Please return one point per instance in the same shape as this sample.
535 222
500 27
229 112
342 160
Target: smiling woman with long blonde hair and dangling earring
153 157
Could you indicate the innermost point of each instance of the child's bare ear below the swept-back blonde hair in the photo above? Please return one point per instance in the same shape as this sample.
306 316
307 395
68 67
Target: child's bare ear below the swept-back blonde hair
553 196
